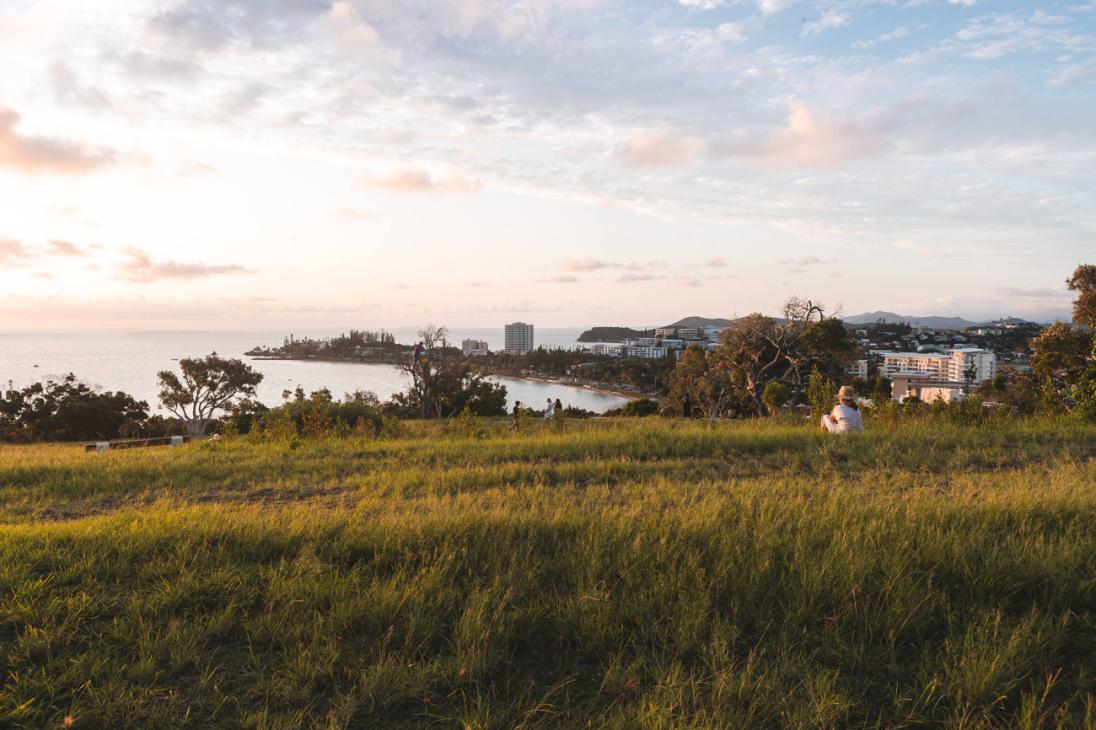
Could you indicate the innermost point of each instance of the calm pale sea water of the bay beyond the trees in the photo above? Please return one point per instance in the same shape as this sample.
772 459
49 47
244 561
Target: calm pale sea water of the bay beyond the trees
130 361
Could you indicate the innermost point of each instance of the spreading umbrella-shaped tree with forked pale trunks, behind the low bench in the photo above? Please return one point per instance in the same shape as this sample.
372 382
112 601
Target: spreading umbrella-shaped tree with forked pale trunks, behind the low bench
209 385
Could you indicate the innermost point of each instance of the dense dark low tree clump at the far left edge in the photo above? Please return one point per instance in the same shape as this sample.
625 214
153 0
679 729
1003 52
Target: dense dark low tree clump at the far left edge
68 410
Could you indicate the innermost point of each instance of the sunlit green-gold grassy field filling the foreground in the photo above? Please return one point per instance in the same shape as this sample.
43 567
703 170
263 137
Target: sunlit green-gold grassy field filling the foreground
612 574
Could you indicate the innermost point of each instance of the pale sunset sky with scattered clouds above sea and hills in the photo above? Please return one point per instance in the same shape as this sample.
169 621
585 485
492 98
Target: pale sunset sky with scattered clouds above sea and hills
295 164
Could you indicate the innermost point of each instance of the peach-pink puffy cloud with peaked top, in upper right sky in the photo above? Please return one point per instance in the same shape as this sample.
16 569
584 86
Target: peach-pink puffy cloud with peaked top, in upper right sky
812 141
